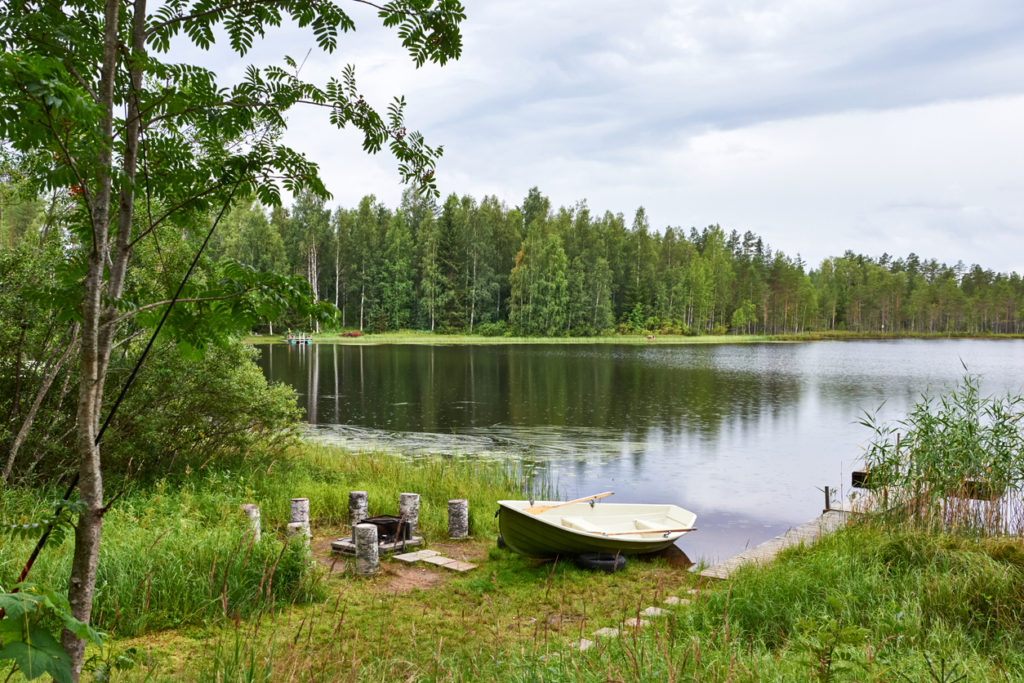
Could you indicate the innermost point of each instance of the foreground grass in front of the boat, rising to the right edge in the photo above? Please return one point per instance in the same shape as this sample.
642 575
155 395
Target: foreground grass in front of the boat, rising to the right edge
870 604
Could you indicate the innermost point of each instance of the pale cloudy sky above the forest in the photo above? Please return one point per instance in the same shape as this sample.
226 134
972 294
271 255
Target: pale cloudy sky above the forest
878 126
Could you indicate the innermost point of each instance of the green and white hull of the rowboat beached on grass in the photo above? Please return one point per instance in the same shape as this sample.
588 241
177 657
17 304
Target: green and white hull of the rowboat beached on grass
546 535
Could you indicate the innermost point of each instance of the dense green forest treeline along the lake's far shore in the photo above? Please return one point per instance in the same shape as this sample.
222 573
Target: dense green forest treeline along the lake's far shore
481 267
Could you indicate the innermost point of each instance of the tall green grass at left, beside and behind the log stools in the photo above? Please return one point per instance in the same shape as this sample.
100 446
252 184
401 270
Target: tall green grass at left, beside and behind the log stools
180 552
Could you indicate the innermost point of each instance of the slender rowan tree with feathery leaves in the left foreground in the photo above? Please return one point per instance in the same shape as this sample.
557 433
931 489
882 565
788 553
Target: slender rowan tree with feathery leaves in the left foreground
91 100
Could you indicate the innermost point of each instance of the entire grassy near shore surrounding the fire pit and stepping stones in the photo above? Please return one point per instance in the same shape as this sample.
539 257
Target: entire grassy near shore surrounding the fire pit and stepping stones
185 595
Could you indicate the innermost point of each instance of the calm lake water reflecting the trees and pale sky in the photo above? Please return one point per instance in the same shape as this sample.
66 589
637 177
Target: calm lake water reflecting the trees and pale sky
746 436
